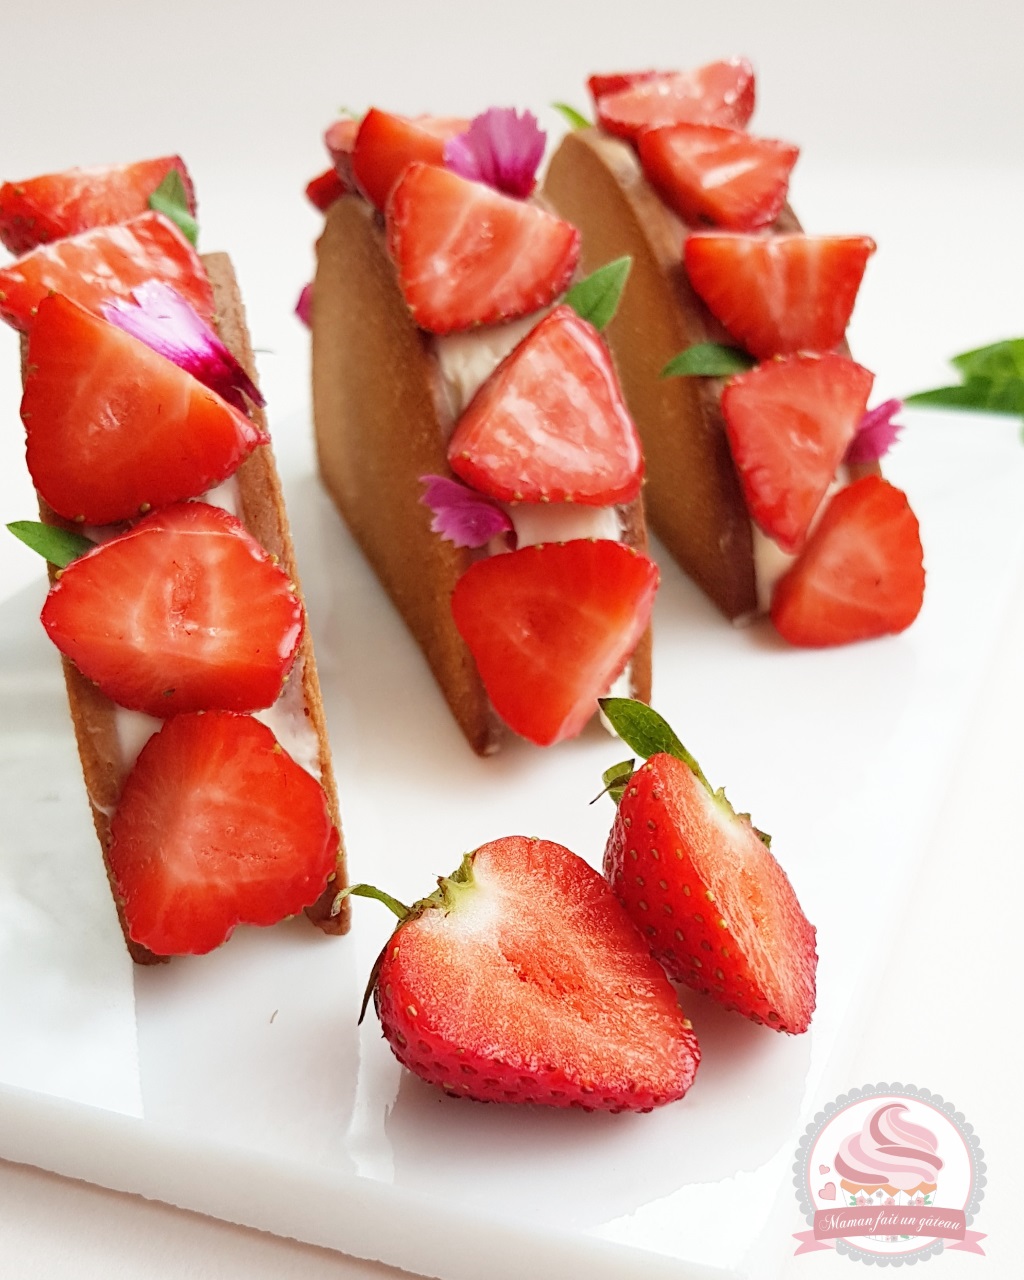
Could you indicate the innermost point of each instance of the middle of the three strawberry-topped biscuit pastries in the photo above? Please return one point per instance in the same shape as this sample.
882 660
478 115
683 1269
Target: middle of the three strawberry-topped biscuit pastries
470 426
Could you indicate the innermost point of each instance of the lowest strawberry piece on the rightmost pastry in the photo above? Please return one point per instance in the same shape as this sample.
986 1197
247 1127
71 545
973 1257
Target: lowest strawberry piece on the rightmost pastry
861 574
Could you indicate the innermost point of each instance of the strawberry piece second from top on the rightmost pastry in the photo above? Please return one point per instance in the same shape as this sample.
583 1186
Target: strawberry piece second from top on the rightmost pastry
721 176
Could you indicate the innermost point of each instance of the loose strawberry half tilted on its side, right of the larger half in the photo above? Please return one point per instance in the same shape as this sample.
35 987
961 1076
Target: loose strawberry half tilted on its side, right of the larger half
702 884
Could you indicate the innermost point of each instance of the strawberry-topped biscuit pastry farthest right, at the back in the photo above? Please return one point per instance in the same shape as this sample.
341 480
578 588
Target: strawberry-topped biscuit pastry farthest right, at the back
730 345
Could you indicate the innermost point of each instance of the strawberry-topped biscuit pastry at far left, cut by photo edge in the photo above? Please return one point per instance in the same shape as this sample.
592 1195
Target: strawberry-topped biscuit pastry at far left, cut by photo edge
175 593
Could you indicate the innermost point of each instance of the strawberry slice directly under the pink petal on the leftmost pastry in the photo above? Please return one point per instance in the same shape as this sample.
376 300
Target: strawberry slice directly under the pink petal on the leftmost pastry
115 429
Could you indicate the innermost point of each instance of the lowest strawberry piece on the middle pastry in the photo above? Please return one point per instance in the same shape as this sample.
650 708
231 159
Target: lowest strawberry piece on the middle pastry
551 628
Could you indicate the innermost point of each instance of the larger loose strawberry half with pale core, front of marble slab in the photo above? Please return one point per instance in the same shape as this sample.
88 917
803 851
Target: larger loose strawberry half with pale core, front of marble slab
522 980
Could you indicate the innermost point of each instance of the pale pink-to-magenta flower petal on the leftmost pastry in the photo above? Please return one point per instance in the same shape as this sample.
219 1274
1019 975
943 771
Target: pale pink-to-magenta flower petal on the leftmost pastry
162 318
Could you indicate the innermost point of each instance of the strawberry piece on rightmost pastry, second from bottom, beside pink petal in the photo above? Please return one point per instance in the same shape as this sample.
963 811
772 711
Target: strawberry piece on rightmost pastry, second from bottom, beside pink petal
789 423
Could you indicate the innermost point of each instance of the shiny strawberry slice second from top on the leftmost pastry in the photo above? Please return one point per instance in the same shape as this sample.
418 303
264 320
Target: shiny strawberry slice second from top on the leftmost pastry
106 263
